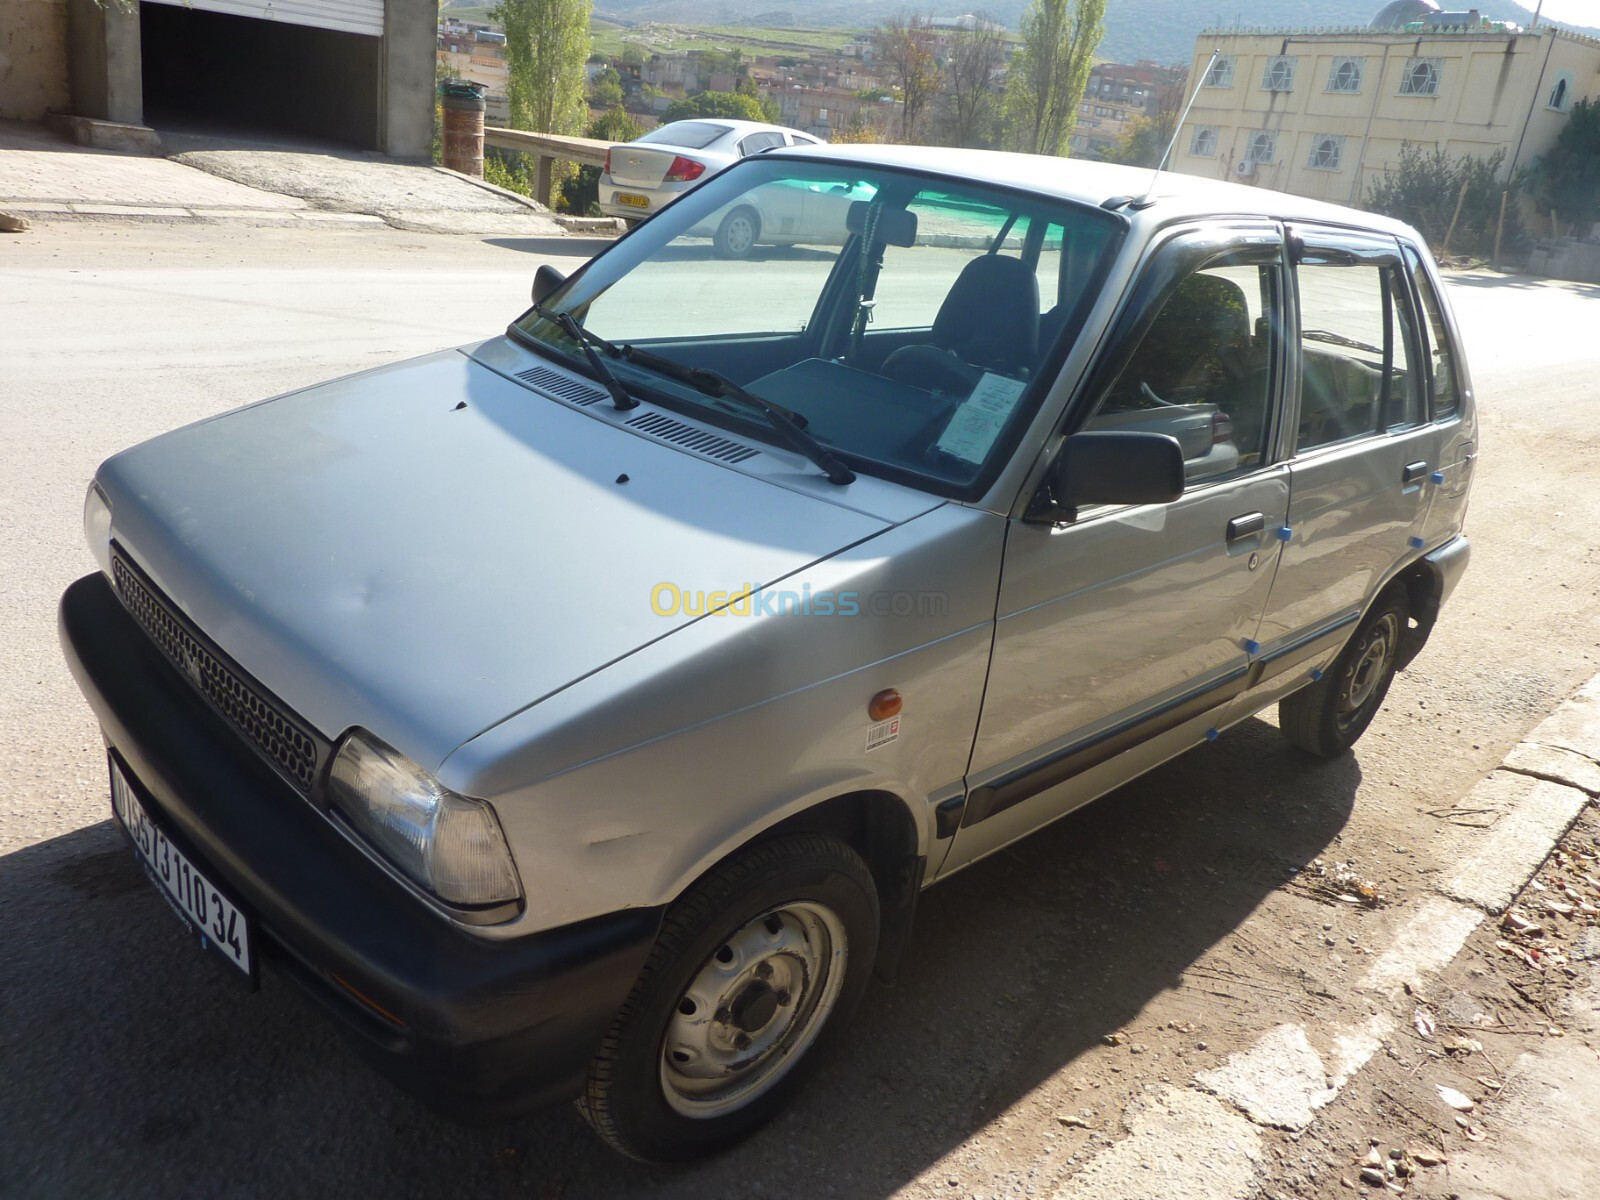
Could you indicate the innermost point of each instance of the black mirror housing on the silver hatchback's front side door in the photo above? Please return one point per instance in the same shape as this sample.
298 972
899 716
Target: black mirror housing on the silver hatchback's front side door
1110 468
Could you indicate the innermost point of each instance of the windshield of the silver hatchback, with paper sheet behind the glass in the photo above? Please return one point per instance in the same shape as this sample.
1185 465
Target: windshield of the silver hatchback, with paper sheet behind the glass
902 318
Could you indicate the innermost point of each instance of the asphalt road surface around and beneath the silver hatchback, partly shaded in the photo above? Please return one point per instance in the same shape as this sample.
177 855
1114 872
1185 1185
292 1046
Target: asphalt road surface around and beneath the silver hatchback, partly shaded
134 1068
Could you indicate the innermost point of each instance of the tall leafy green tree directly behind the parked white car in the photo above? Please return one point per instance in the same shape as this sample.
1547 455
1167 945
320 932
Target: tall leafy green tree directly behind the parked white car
546 47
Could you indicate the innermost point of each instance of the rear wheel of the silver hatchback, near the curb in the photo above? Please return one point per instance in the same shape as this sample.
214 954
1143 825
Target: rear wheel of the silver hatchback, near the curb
1332 714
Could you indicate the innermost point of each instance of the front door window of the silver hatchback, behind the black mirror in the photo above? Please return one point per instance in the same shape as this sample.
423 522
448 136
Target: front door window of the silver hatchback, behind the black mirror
1204 372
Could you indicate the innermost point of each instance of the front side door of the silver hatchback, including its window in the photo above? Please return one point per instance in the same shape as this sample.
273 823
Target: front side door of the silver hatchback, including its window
1126 630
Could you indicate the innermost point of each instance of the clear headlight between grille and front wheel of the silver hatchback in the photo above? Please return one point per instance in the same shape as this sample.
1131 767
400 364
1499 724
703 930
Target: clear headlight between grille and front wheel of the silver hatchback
449 844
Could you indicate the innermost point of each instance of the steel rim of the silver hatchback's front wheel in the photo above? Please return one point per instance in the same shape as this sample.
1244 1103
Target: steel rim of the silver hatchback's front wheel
753 1009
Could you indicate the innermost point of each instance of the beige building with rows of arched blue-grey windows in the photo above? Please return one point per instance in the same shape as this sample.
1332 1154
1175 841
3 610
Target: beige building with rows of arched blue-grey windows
1322 114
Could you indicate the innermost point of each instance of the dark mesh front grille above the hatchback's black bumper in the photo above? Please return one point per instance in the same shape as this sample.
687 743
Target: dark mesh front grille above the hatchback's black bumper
250 708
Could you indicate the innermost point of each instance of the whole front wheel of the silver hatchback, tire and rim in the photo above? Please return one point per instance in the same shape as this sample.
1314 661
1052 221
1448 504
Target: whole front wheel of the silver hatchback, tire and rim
734 958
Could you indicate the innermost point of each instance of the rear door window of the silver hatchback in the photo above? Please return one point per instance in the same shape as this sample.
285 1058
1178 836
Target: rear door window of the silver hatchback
1358 370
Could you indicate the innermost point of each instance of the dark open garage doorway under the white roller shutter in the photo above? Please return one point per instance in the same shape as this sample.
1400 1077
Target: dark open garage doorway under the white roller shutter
220 73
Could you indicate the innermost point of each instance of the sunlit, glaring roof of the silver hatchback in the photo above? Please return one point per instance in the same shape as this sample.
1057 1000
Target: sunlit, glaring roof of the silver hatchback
1175 194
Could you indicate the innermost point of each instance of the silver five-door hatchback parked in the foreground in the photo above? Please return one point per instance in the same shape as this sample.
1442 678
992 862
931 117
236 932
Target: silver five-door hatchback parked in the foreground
582 713
